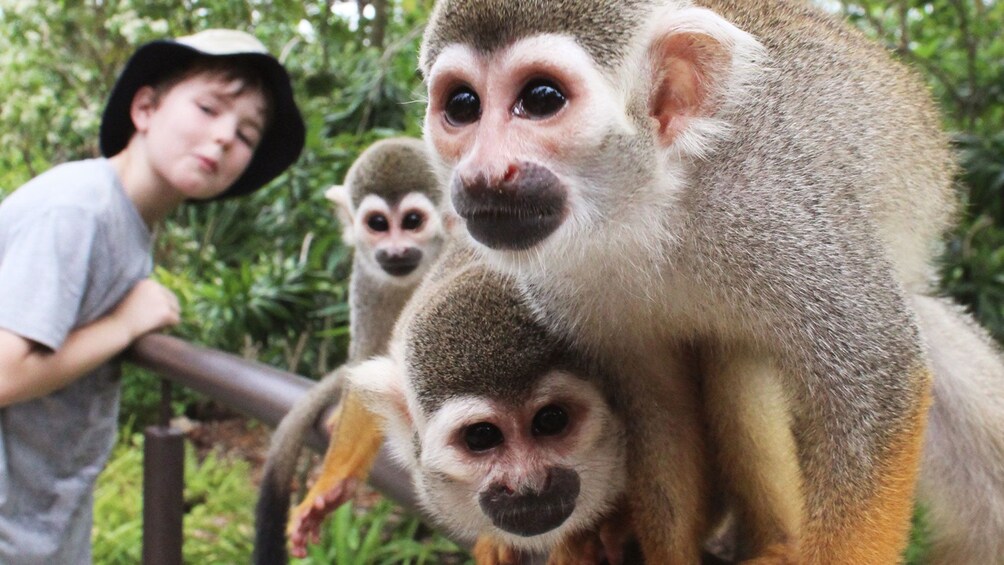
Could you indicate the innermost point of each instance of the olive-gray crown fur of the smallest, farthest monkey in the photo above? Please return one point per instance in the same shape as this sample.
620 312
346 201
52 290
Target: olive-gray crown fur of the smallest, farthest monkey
392 169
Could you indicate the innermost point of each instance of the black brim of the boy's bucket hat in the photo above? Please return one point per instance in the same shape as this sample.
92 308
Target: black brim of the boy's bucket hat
280 148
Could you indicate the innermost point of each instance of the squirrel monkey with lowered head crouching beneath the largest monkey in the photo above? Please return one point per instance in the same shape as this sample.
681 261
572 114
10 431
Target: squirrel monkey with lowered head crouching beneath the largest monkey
506 429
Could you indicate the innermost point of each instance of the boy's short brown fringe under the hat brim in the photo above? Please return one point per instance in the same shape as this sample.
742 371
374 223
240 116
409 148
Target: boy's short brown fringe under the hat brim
242 71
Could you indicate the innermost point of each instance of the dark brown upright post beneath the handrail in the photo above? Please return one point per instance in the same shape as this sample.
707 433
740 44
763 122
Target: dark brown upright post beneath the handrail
163 488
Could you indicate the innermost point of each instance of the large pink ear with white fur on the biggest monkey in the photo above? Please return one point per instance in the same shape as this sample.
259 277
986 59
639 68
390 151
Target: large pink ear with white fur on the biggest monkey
700 63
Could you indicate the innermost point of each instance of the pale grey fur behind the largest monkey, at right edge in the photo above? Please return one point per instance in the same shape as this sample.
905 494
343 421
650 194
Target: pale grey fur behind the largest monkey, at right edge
962 473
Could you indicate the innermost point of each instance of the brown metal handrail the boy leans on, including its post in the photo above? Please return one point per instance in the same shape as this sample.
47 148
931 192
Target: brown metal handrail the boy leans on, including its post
256 390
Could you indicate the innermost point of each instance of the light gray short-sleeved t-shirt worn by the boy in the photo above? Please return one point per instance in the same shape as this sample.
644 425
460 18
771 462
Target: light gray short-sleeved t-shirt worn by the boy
72 246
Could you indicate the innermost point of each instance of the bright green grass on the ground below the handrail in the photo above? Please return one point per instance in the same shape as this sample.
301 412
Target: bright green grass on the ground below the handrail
218 527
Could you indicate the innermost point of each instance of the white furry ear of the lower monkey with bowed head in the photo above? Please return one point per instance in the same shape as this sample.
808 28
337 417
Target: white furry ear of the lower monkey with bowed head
380 384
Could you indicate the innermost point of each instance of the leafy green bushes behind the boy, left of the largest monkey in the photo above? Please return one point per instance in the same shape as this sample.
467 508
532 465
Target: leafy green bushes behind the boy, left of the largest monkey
265 276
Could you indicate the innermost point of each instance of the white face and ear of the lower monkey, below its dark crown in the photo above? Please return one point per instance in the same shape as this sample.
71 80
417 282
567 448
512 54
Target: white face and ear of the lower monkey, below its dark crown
529 474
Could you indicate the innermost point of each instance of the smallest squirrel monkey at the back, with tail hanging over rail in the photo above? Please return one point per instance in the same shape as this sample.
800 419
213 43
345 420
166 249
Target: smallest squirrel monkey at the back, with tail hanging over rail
388 210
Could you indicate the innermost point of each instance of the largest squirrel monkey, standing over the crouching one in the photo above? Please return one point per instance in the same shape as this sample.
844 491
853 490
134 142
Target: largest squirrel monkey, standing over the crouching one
733 197
